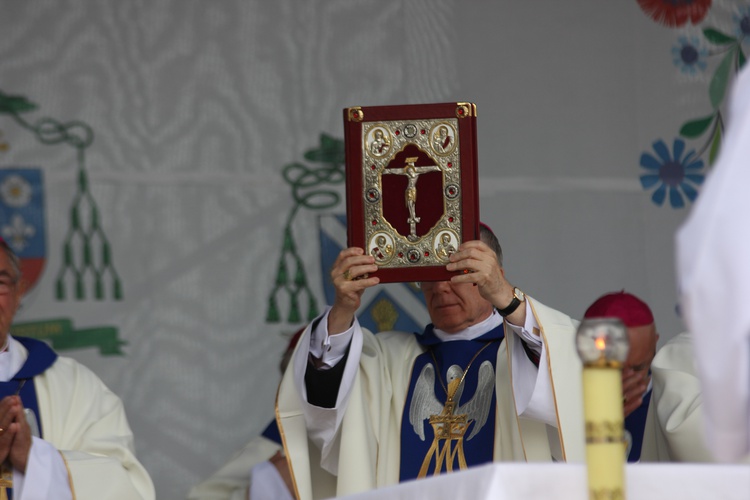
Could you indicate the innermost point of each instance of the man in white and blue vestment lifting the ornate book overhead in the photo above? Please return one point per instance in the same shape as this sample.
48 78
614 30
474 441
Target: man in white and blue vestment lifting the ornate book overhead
495 377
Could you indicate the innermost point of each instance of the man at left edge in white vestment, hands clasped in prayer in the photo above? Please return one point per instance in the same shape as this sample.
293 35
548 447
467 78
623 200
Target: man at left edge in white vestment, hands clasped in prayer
63 434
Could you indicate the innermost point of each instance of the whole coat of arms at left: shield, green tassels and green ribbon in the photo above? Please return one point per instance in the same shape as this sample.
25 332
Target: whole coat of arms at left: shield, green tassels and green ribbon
87 269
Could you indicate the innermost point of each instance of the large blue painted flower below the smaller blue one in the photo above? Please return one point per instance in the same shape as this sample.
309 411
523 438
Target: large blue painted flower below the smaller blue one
673 173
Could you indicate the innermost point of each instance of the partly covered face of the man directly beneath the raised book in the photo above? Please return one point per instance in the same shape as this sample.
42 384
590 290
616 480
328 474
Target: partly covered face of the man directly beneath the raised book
453 308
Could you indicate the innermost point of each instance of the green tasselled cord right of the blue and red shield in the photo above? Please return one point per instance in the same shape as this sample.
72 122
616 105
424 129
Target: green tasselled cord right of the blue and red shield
87 255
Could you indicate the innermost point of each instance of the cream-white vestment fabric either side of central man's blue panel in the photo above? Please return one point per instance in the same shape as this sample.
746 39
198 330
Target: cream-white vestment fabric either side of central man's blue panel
361 435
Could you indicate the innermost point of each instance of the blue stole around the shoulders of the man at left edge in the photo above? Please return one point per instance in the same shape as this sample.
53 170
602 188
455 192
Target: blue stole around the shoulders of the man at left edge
41 357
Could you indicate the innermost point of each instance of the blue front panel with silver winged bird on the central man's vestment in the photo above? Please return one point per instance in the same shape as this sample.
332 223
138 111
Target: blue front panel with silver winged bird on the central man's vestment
472 443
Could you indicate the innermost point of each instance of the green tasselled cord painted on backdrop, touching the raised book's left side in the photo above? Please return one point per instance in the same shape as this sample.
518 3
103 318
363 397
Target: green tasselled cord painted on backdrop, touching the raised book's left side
312 188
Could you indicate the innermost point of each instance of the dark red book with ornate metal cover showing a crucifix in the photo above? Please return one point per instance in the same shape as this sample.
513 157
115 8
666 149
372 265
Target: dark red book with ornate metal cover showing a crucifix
411 186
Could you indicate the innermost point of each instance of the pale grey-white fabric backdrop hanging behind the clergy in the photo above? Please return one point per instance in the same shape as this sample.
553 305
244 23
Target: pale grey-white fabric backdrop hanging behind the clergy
196 107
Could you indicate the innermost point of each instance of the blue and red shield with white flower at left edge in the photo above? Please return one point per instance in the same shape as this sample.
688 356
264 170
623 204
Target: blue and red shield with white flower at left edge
22 218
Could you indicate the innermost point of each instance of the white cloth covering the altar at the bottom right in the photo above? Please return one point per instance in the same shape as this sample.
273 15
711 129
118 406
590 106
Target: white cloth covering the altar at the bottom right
514 481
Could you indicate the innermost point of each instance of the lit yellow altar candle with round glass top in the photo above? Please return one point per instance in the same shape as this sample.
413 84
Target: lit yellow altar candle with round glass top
603 347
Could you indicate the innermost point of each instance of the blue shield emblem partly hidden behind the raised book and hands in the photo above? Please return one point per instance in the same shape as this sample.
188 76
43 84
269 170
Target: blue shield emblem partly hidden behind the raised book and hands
389 306
